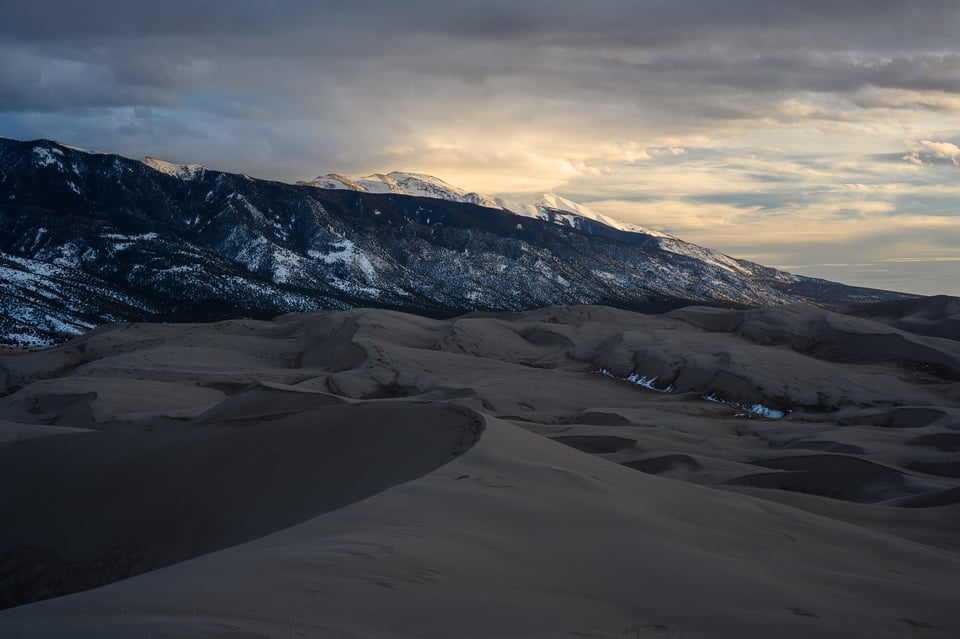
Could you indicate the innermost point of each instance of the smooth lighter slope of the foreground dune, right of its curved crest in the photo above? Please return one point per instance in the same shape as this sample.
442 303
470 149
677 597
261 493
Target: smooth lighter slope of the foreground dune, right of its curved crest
522 537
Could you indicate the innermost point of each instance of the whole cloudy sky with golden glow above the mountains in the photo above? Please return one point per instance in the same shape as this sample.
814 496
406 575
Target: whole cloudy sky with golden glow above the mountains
818 136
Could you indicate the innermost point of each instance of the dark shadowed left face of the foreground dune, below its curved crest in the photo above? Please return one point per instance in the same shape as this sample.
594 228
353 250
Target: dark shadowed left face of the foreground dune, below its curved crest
84 510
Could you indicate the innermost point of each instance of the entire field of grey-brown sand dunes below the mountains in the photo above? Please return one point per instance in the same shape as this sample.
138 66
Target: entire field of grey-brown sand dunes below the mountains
567 472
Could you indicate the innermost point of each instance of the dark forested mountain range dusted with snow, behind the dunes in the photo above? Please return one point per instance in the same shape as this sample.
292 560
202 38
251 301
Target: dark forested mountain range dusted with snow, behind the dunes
91 238
